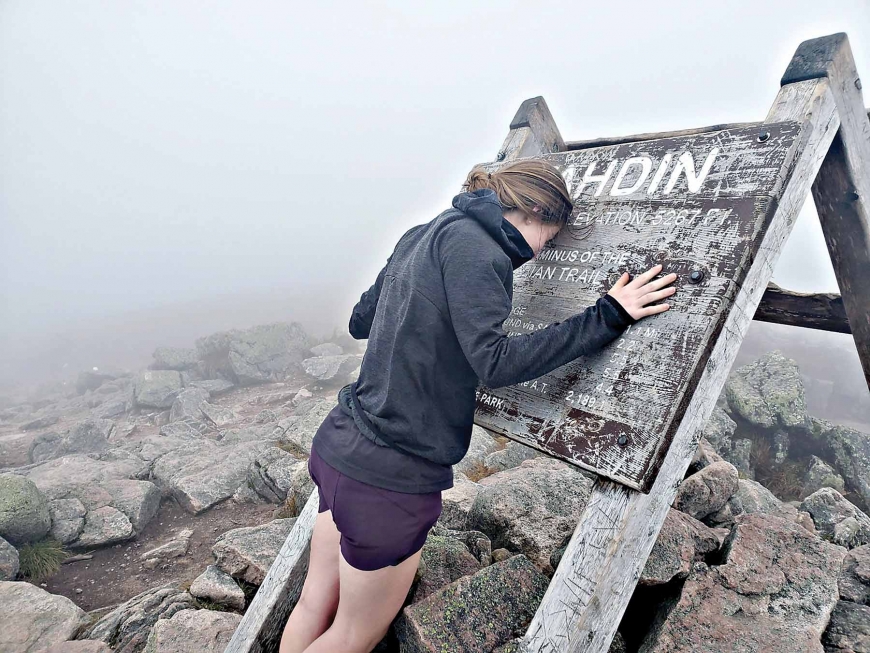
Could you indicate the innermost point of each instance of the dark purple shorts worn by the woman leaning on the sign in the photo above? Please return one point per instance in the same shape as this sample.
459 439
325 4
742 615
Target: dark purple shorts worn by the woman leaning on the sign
378 527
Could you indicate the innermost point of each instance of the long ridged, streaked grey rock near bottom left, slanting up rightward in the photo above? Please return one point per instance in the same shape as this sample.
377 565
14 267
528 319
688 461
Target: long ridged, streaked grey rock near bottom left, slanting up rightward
130 622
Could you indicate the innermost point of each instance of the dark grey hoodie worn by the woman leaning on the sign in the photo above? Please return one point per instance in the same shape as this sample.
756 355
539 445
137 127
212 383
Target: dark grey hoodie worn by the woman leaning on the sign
433 320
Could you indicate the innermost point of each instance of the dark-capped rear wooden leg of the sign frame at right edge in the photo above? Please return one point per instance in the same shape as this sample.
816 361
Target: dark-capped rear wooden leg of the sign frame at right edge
842 188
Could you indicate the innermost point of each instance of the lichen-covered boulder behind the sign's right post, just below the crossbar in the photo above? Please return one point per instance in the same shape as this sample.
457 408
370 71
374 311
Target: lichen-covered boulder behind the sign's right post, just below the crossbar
768 392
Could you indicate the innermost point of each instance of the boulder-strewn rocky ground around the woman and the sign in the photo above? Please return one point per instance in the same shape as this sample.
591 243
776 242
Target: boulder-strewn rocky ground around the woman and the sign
173 488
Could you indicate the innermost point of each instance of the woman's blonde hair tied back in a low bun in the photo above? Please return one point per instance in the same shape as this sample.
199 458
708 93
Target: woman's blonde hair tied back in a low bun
533 186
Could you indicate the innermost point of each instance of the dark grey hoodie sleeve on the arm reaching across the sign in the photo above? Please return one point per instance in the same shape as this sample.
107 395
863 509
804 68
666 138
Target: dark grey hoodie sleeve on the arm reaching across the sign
478 301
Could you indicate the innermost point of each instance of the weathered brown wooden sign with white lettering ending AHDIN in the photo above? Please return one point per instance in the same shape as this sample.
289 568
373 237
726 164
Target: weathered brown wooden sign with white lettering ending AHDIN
698 205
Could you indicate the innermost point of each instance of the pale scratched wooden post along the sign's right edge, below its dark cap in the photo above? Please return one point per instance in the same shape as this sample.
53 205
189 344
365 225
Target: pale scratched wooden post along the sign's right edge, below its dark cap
590 589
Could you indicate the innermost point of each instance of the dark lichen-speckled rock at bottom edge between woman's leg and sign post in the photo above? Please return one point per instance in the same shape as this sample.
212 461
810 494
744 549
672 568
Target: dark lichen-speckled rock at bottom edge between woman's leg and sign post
474 613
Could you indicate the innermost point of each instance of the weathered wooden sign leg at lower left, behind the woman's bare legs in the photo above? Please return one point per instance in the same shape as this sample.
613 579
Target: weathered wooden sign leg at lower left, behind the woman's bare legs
261 627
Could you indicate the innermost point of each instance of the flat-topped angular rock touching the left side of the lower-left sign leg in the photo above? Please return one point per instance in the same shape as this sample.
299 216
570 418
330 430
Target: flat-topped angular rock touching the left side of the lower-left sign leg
247 553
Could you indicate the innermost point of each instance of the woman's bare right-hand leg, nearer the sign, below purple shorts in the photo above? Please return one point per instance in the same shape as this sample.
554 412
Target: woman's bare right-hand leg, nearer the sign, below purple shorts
370 600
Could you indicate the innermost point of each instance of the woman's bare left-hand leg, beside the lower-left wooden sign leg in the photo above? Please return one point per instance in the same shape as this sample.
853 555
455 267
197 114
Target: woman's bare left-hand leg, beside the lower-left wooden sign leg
319 598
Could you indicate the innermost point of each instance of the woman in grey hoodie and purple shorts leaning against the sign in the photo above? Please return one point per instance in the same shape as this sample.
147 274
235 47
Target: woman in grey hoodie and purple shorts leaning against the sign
433 320
